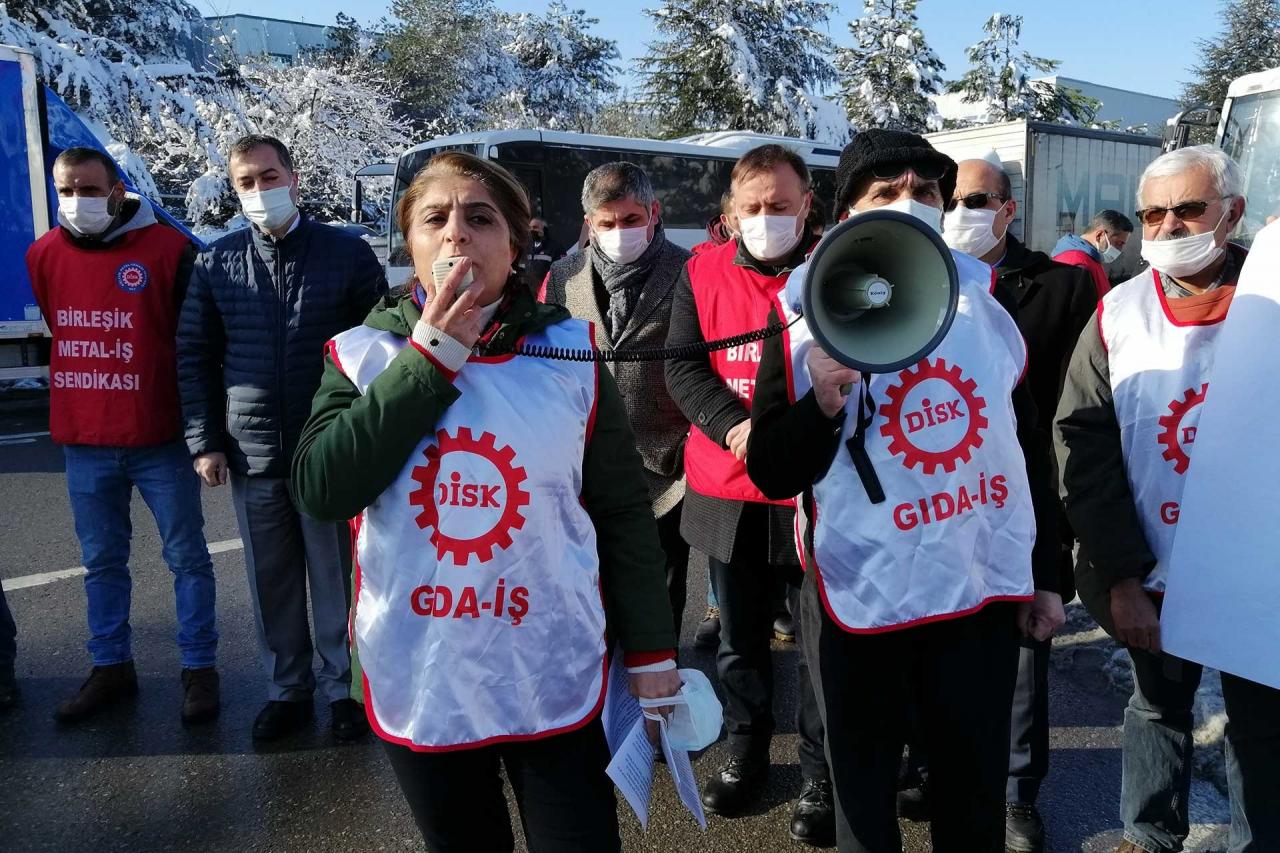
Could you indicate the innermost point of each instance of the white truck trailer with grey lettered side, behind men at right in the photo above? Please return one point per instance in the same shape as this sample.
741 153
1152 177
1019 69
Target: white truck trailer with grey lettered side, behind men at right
1062 176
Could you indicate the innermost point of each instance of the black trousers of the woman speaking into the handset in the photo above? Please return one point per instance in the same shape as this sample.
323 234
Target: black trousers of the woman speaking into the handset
565 799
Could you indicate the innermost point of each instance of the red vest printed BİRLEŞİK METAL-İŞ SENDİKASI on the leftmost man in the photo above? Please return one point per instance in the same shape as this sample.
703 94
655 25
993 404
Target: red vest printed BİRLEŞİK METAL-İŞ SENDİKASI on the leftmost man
113 375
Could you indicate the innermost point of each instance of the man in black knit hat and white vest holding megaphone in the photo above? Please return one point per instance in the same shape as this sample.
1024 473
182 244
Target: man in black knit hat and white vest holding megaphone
925 482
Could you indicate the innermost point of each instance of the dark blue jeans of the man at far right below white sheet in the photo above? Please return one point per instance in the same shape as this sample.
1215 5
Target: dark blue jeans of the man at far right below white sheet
1158 758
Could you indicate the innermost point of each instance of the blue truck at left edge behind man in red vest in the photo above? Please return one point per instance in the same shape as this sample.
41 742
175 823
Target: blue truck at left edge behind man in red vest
35 127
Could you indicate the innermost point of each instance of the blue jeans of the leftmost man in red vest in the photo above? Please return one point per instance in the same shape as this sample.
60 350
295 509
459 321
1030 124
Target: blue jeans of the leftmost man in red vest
100 482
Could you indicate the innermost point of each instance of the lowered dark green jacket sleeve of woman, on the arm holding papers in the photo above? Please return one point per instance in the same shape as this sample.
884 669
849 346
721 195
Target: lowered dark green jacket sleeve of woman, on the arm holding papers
633 567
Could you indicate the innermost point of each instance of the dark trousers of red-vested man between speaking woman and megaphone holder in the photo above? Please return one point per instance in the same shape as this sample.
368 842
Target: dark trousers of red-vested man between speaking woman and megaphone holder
748 603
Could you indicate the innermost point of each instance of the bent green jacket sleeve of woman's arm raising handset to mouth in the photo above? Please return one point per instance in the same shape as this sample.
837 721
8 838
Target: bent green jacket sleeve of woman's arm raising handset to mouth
355 445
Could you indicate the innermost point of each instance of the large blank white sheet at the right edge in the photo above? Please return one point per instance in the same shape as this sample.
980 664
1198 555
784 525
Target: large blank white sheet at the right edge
1224 573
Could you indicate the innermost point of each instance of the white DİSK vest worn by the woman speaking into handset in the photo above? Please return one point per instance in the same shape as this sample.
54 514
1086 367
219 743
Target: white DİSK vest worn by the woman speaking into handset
478 595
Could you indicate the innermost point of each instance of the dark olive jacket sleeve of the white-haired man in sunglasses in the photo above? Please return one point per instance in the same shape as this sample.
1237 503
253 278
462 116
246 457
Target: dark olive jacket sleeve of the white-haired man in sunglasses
1091 459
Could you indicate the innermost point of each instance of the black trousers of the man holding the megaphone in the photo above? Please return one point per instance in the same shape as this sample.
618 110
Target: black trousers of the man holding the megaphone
962 672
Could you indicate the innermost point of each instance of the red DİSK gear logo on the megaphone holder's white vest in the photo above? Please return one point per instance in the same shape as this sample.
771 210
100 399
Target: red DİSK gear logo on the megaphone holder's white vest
934 417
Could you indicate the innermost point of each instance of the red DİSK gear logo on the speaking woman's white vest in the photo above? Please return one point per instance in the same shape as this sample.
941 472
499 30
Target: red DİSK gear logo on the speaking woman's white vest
477 489
